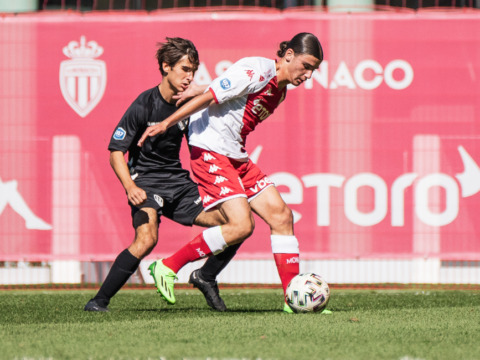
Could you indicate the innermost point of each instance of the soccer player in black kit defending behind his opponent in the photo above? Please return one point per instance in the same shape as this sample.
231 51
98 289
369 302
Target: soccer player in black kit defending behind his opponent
154 180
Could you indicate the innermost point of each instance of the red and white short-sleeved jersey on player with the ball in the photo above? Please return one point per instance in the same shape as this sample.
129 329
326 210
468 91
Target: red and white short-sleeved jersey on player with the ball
245 95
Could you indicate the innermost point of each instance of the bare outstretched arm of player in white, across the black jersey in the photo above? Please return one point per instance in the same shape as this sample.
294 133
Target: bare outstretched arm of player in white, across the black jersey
196 104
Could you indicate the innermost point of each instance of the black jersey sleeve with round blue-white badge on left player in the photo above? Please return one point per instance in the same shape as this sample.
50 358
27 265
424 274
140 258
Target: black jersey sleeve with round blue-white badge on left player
127 130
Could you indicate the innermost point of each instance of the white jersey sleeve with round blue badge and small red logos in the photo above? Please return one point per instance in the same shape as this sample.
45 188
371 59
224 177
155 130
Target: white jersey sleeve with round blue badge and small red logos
247 76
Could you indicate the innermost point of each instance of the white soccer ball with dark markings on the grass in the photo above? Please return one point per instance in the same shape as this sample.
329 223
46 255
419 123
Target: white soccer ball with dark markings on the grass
307 293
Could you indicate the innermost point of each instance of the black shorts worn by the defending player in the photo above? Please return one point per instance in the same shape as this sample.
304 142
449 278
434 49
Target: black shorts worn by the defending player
179 202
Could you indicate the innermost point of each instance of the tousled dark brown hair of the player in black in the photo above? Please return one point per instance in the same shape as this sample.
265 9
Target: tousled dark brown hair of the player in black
173 50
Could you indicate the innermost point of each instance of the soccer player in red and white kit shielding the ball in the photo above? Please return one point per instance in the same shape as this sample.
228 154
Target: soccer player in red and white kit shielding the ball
233 105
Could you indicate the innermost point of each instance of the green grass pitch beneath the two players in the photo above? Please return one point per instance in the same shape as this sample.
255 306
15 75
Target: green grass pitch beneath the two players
366 324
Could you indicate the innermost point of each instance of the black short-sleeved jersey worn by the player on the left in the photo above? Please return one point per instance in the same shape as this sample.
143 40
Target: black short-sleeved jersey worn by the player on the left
158 160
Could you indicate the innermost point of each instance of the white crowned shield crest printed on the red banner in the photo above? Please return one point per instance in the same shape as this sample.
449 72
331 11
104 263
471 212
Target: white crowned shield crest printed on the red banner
83 78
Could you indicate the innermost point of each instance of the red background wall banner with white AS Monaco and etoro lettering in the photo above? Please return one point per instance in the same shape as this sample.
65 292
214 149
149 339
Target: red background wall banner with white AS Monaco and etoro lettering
378 154
